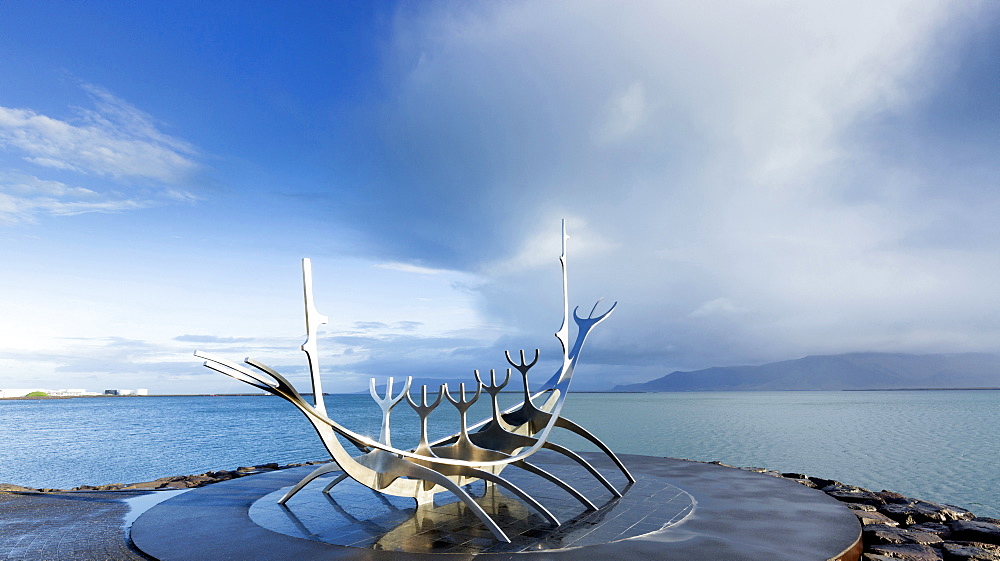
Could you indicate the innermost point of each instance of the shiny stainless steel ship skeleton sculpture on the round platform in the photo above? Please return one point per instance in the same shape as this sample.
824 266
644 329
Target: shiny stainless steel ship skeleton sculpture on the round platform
479 451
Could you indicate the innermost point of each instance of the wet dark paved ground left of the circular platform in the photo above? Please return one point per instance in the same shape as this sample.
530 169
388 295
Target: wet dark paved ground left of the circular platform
77 526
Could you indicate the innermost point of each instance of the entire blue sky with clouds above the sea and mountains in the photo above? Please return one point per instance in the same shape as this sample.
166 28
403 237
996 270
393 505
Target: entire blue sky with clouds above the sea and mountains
750 181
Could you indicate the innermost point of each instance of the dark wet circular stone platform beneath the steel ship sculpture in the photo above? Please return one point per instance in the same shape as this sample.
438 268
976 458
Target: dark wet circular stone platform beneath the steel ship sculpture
676 510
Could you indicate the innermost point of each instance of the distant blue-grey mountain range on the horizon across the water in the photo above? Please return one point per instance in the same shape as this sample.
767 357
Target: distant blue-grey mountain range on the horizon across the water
852 371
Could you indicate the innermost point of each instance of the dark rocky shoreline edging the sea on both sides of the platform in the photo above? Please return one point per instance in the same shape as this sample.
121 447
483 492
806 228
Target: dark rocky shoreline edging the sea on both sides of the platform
894 527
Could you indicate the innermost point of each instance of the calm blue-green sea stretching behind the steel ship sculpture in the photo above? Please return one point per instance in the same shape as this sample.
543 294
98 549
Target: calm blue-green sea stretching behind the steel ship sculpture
935 445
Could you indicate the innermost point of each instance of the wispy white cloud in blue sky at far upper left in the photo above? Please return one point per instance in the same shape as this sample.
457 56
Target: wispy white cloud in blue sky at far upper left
114 154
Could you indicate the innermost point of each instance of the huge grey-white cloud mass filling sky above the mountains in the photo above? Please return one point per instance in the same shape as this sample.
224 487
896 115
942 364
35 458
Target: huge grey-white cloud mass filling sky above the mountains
712 148
